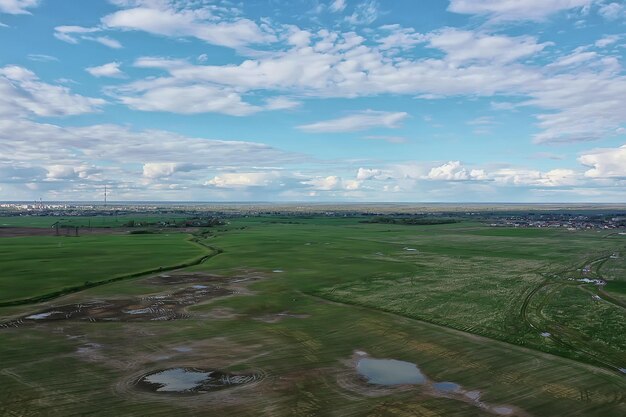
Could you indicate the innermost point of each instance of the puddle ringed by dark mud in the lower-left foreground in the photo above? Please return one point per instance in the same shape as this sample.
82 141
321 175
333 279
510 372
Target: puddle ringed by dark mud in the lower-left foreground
192 380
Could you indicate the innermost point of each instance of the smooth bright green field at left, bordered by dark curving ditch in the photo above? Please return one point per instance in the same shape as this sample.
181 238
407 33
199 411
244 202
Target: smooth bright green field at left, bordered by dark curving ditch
36 266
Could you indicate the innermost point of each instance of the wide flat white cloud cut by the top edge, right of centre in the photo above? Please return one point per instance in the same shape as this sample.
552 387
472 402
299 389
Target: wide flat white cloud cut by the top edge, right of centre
512 10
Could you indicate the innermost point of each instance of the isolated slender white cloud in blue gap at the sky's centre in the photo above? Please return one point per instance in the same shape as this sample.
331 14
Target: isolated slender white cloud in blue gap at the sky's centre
360 121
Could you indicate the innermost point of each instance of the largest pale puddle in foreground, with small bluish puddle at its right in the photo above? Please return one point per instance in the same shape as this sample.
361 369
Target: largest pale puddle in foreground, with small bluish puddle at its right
389 372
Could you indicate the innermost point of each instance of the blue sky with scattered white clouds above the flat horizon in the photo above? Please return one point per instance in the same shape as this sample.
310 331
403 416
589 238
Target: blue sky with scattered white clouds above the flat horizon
313 100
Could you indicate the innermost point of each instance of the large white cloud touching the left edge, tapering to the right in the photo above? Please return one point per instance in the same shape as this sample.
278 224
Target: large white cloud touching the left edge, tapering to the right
22 94
